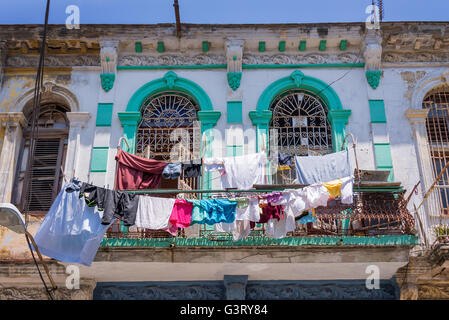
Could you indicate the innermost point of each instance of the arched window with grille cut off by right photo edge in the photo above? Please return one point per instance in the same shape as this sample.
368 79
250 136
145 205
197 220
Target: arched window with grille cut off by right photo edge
437 124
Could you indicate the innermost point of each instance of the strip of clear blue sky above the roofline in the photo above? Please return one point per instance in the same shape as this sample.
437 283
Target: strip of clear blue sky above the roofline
220 11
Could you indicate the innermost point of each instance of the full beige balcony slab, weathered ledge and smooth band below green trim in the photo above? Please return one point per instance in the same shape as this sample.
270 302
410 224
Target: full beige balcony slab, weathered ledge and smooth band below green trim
120 264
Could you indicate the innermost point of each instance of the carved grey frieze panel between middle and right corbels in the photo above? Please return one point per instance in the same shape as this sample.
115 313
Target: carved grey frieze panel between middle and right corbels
253 59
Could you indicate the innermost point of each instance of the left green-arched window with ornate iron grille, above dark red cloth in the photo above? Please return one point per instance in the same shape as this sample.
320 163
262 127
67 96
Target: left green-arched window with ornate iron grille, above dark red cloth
169 131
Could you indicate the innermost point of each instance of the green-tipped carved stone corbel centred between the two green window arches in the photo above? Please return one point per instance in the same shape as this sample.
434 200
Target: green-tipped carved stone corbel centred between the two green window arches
234 55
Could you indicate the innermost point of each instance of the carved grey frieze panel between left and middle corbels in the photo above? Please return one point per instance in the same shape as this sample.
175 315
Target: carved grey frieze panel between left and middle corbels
172 60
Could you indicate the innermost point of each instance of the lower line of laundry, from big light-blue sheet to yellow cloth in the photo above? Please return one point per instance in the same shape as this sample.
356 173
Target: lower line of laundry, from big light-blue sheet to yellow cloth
79 217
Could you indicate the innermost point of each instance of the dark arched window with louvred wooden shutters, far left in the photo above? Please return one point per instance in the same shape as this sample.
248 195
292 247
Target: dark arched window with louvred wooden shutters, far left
47 167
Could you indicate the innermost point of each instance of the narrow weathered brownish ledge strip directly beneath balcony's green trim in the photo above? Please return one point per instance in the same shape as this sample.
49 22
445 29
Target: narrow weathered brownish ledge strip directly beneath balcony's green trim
257 254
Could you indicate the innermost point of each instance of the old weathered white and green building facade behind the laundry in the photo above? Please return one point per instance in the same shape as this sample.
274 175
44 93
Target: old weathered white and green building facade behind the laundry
228 90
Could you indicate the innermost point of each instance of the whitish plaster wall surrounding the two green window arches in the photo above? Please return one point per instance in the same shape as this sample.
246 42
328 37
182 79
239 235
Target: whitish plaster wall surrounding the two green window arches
351 89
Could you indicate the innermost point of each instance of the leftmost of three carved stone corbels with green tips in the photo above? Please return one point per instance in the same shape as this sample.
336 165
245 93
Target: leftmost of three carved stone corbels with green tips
108 59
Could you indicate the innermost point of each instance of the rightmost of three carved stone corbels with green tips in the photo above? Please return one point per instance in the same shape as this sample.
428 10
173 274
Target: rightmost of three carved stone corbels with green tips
372 52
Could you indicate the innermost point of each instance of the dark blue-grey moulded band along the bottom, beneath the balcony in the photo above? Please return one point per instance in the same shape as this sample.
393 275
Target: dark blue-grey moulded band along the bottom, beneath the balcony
251 290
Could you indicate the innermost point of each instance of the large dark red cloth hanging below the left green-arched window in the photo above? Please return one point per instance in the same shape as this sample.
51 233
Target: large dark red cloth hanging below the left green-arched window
135 172
